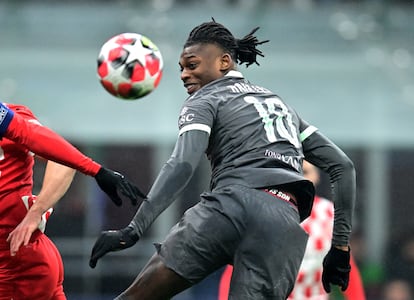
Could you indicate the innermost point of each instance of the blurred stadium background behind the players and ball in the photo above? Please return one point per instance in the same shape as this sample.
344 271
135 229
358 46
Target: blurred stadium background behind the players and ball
346 66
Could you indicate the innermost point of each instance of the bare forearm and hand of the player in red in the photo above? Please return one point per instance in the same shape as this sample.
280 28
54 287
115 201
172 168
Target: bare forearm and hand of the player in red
56 181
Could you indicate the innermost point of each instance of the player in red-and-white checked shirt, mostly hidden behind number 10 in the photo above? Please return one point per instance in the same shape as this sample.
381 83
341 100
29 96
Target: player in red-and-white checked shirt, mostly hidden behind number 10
318 225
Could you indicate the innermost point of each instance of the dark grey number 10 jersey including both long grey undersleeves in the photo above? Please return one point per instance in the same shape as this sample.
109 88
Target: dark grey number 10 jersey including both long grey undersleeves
252 138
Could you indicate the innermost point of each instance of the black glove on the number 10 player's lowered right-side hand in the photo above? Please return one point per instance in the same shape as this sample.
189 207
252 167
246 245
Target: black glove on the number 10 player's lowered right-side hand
336 269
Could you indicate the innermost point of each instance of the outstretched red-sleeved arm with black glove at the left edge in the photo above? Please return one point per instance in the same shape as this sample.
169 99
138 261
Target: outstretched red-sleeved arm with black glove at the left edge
51 146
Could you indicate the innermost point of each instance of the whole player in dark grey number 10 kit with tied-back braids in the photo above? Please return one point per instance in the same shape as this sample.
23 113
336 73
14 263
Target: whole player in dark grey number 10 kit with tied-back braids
251 216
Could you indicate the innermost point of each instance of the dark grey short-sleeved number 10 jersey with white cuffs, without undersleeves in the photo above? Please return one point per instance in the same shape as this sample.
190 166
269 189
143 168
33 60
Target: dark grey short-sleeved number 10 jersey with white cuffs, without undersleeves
255 137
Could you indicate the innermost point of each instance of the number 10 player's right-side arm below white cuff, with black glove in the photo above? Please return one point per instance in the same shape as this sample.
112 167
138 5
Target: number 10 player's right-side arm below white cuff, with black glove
323 153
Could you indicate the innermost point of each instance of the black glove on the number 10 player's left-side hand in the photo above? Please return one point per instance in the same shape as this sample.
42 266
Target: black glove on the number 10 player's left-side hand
112 240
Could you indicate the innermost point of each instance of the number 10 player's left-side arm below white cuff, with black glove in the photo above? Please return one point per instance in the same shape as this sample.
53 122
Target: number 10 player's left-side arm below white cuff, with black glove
172 179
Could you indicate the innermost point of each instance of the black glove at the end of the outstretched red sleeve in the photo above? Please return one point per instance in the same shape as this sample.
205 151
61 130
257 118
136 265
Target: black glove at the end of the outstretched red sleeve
110 181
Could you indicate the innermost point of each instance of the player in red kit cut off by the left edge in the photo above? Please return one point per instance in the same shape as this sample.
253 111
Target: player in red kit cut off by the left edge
31 266
